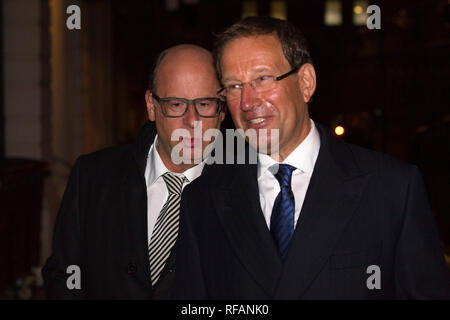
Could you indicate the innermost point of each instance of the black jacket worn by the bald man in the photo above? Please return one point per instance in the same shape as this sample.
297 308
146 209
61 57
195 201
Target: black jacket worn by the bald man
102 228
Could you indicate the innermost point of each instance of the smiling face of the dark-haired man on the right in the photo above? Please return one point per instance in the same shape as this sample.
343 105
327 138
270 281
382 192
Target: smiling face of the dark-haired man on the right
283 108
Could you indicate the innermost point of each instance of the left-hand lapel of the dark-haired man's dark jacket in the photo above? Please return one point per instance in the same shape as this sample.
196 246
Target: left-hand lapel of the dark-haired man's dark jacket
239 210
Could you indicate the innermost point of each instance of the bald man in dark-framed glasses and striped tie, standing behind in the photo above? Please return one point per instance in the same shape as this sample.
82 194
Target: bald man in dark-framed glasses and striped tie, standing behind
117 226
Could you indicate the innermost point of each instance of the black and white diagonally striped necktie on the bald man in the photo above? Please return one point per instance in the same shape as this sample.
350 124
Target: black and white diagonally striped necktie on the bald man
165 233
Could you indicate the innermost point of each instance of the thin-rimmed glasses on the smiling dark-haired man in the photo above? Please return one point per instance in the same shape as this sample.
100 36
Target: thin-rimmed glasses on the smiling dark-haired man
261 84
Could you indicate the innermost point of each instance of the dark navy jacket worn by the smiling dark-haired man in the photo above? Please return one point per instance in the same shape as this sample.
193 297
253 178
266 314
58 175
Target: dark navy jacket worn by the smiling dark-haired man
365 232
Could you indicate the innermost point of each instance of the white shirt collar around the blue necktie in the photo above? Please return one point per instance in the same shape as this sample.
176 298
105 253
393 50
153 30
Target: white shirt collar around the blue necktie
303 157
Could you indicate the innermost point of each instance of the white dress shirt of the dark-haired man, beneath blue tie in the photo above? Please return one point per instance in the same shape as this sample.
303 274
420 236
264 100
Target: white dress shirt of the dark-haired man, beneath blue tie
303 158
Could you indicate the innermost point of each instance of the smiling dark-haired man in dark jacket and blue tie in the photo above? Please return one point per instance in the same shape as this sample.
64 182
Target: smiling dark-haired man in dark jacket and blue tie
315 218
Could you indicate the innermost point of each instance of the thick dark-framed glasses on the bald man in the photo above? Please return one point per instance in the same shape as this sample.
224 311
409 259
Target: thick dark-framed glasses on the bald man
173 107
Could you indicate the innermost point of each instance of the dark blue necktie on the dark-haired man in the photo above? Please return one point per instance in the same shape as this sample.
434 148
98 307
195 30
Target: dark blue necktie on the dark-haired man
283 212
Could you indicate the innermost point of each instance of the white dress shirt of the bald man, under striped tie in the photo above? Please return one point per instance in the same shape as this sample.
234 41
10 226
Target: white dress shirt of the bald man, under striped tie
157 193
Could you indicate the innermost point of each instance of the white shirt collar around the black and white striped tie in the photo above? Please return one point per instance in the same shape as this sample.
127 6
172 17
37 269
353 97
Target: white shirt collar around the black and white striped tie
158 168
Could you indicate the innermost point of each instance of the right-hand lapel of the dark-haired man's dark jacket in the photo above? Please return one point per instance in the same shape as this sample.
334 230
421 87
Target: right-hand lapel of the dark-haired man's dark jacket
333 195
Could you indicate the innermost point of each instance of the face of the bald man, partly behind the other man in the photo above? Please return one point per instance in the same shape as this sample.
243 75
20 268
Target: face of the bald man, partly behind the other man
184 73
